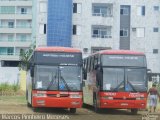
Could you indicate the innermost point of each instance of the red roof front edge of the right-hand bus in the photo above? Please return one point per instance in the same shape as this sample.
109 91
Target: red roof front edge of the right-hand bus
121 52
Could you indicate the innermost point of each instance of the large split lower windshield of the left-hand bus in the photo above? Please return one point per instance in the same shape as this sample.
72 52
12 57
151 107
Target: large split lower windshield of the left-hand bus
65 78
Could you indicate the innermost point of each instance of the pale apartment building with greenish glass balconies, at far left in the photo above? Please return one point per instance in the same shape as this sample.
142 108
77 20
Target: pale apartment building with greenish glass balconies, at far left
16 30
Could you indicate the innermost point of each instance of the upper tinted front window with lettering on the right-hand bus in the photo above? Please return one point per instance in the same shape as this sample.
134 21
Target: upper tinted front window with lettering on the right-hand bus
123 60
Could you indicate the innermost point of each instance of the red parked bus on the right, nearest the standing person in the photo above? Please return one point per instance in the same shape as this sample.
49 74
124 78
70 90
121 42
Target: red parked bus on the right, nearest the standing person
115 79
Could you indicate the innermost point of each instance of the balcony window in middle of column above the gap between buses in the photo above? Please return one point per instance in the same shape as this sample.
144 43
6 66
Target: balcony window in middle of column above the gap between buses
101 32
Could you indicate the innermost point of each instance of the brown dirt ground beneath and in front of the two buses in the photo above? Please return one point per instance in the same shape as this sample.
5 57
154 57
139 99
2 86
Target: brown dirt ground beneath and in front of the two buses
81 114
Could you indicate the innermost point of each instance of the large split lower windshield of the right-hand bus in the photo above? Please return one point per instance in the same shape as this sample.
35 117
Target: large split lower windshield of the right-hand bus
124 79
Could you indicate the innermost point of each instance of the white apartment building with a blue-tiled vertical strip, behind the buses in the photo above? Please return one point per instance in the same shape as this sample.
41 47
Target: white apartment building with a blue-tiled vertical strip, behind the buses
102 24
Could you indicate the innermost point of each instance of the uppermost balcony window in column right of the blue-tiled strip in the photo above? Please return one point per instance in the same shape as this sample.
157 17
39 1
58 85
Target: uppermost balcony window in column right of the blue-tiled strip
104 10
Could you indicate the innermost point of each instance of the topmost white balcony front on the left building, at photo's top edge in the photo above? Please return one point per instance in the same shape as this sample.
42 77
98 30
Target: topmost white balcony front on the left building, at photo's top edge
16 2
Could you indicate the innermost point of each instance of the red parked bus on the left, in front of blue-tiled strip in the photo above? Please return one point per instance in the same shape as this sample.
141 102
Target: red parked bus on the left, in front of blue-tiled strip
55 78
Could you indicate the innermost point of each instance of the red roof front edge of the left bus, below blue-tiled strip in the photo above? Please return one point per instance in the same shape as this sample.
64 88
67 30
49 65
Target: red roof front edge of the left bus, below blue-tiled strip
57 49
